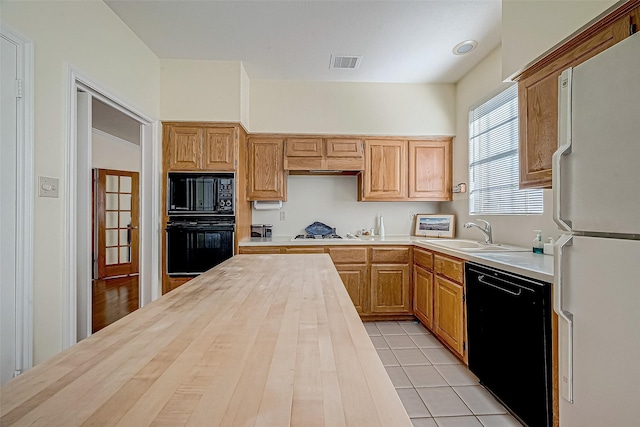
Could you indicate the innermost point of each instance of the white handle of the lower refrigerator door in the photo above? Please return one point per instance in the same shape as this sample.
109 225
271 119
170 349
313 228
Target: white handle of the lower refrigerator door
565 323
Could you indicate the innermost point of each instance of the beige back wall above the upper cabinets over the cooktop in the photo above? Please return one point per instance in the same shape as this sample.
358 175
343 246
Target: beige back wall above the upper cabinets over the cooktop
358 108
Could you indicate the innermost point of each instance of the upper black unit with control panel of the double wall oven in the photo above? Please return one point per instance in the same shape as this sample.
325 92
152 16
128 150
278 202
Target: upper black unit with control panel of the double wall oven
200 193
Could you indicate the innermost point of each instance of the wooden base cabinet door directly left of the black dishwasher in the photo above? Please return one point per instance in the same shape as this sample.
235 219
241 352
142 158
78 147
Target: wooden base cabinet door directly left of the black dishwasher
448 313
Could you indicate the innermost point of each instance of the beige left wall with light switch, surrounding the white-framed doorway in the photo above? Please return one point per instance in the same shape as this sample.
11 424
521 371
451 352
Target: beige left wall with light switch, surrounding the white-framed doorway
89 37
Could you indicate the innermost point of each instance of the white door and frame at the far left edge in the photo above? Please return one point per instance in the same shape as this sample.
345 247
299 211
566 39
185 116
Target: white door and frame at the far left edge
16 208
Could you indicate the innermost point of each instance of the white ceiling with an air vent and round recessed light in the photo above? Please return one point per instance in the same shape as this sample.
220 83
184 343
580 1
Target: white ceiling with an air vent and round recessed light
400 41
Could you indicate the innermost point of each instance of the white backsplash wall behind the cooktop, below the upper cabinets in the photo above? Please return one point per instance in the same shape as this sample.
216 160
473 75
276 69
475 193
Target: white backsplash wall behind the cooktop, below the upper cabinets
333 201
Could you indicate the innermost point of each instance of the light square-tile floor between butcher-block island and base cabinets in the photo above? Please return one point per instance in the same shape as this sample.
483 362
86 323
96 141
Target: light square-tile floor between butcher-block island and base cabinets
437 390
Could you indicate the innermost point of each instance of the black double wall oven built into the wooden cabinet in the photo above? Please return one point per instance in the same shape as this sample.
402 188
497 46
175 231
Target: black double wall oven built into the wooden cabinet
201 226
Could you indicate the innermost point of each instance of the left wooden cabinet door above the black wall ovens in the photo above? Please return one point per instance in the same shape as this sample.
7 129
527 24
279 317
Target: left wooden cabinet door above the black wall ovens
184 148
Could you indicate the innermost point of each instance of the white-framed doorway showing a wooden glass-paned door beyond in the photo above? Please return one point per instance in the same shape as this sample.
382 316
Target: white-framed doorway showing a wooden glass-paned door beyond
96 118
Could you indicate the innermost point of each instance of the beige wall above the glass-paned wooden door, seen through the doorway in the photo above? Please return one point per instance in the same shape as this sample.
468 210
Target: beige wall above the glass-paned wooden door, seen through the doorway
110 152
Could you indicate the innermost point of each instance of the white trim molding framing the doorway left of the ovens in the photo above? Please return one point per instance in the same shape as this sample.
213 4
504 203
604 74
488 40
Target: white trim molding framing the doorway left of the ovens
149 207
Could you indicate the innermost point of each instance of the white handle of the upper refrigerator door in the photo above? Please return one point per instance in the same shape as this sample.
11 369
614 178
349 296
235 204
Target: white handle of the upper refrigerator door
564 145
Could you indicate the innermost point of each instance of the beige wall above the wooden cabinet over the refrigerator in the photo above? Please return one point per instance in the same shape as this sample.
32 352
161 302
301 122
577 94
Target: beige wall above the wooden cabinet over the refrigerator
532 27
